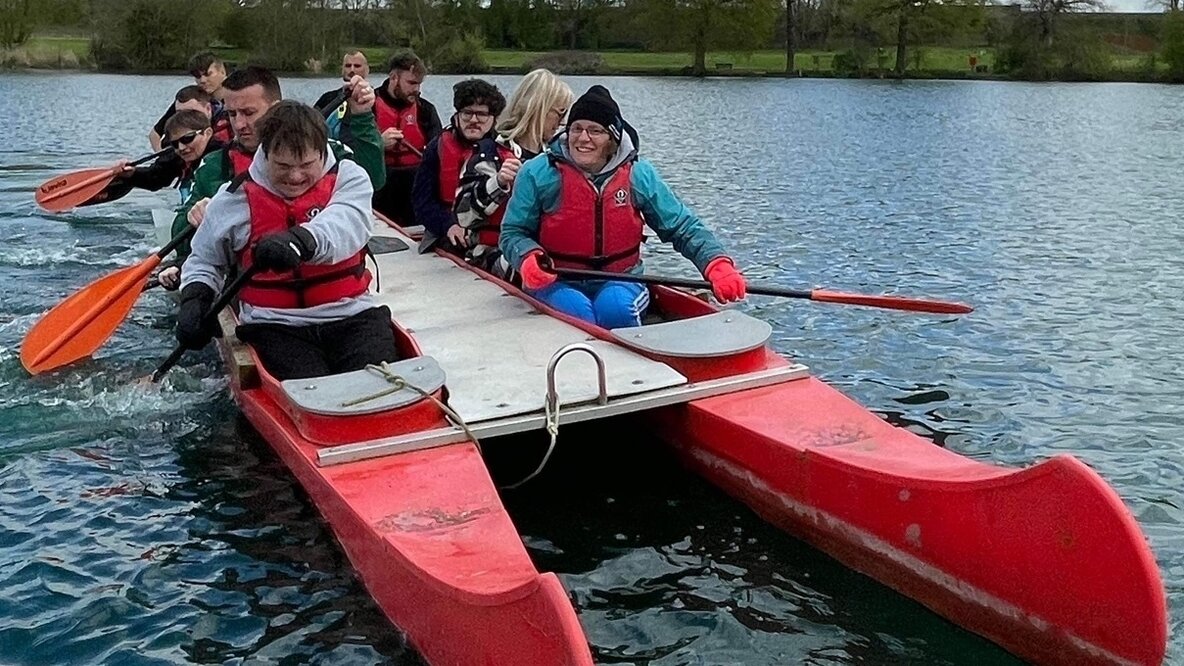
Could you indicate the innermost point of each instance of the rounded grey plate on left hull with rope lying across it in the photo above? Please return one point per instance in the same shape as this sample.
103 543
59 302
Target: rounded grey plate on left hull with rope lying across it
327 395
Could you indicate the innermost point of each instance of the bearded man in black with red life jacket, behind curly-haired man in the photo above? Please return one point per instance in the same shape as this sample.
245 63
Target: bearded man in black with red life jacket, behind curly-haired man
408 124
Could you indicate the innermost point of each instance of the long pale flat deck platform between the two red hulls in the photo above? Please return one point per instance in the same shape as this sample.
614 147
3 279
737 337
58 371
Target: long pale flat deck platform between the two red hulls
496 348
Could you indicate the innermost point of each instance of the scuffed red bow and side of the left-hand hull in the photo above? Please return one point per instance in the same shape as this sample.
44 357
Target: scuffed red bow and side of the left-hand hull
447 567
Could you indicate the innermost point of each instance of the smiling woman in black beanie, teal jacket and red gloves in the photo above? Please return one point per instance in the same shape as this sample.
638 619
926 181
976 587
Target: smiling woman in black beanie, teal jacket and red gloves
584 206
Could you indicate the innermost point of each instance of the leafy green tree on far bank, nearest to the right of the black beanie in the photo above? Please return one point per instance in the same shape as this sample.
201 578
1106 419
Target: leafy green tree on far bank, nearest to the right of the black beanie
703 25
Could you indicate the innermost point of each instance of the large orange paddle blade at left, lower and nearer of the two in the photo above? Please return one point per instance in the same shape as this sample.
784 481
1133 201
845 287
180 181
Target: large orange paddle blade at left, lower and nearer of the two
79 325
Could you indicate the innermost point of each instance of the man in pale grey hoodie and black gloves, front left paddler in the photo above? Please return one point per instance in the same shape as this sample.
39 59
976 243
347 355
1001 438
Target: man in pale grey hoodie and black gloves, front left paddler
301 220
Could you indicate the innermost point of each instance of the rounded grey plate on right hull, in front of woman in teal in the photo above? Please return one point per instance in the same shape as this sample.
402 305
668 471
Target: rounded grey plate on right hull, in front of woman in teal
717 335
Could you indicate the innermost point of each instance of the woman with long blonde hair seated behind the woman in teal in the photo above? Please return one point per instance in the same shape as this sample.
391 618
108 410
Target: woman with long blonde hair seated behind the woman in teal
533 116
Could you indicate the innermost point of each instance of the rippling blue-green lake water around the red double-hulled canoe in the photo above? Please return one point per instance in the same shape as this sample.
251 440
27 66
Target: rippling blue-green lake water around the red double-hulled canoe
152 526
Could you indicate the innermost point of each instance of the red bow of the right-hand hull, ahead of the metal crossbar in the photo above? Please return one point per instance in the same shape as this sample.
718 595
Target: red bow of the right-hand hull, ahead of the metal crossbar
1046 561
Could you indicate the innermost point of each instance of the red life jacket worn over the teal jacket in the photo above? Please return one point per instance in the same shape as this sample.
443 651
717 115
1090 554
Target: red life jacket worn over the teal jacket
594 229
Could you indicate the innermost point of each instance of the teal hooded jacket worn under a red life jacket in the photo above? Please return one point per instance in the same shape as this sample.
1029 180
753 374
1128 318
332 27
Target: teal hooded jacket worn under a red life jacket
537 193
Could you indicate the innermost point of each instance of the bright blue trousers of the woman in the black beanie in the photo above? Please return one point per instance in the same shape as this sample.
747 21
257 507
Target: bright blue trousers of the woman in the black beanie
607 304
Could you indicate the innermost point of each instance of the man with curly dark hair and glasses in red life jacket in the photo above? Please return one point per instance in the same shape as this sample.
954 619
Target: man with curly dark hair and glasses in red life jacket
478 105
